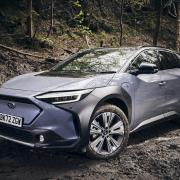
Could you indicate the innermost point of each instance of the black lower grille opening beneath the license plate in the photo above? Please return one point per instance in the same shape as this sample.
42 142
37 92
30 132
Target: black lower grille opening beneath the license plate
17 134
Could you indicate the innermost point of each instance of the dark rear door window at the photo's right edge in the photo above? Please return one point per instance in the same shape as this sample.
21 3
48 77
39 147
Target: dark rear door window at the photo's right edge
168 60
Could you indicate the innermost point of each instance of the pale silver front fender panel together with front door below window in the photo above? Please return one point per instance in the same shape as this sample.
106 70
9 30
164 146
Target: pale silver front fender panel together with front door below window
146 94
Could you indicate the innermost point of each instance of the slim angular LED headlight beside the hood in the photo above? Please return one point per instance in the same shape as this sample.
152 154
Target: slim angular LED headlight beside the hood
64 97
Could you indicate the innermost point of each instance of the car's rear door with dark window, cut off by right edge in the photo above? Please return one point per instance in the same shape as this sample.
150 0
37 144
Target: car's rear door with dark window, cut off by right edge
170 68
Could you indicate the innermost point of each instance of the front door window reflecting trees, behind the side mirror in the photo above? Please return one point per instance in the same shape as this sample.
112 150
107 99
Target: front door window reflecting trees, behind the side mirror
149 56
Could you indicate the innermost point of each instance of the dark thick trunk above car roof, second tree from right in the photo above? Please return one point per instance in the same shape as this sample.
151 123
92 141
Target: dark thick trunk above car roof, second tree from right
158 22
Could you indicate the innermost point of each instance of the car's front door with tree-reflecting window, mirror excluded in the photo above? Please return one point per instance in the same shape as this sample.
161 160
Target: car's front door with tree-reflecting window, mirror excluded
149 97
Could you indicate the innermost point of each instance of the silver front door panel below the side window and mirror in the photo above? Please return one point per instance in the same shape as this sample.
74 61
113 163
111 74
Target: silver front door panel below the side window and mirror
149 99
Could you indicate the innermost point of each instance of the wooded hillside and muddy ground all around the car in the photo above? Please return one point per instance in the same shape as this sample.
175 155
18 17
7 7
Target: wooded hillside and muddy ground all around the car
37 34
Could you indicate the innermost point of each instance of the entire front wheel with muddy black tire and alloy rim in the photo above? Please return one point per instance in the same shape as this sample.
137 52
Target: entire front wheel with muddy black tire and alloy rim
110 127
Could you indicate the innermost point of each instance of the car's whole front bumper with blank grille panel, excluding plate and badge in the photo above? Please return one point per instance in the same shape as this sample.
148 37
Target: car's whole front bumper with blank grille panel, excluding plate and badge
59 127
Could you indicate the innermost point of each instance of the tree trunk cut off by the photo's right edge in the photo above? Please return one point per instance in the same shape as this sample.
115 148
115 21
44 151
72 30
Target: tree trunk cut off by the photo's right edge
178 27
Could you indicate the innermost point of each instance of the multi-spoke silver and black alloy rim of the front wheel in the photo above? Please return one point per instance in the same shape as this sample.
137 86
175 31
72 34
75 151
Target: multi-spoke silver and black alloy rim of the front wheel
106 133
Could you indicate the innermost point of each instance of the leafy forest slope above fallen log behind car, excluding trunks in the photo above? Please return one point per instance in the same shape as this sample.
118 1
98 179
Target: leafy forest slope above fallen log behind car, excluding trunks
81 25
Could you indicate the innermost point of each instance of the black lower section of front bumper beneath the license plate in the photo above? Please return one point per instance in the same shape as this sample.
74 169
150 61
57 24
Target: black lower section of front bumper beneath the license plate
32 138
